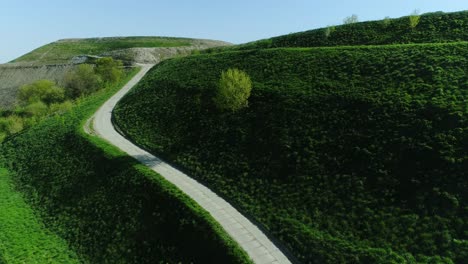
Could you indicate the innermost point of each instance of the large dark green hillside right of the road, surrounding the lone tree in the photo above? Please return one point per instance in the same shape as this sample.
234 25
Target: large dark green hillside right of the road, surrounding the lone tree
347 155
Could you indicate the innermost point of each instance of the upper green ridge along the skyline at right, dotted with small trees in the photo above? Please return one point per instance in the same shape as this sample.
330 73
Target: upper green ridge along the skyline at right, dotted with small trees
432 28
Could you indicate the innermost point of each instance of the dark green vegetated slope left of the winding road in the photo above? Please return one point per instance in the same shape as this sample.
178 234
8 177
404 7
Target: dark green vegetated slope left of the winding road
108 207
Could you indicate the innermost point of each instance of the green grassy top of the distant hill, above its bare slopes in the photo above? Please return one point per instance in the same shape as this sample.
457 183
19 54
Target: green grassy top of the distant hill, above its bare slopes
64 50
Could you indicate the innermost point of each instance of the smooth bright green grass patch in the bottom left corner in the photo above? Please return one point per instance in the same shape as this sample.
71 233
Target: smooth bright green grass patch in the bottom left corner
23 237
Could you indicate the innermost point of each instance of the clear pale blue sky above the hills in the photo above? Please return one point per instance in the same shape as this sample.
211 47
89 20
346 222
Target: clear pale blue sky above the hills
28 24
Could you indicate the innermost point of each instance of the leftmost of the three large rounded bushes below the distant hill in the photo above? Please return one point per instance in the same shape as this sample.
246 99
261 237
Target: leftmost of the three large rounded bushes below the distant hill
44 91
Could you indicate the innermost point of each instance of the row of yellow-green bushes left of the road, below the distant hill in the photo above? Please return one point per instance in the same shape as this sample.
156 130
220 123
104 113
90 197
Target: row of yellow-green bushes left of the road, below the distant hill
43 97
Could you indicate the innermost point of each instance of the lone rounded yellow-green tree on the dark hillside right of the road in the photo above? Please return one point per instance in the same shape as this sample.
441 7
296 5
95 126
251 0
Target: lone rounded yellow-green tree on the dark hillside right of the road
234 90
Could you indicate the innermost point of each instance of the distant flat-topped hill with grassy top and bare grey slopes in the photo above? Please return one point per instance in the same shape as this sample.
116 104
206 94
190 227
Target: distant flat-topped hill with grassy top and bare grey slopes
53 60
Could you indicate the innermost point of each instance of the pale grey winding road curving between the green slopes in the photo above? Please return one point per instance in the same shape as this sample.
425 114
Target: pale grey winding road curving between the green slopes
249 237
